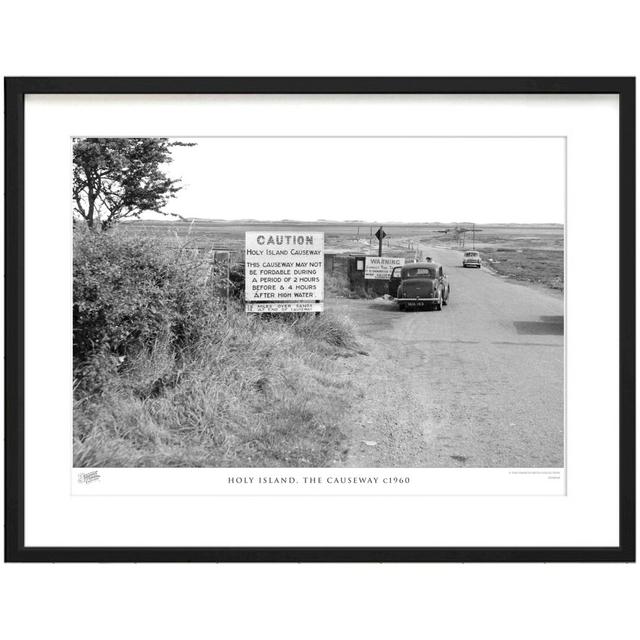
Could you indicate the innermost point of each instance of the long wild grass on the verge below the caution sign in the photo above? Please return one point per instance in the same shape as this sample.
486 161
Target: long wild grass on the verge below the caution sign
266 395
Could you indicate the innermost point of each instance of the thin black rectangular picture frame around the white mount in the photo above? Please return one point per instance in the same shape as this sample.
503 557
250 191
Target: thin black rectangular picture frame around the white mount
15 91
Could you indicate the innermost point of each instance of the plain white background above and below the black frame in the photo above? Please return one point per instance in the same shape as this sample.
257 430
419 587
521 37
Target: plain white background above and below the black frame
332 37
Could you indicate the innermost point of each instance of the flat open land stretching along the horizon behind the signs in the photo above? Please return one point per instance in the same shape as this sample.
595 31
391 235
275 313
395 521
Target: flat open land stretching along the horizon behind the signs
529 253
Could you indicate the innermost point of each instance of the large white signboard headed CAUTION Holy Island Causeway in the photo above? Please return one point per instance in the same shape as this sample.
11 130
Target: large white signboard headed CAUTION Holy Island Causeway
284 271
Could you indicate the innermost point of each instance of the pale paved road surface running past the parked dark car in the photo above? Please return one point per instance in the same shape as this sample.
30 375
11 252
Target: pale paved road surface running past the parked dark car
477 384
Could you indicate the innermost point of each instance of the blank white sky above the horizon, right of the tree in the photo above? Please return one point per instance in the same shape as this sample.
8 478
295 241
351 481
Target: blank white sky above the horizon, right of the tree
482 180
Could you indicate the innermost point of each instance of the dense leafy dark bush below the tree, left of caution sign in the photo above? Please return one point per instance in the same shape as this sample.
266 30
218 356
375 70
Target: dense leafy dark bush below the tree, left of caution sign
128 294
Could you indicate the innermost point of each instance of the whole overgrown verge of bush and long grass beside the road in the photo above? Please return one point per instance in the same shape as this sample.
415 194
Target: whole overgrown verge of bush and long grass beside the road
199 382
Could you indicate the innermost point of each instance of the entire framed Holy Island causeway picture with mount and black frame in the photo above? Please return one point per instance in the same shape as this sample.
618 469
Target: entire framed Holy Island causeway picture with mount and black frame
320 319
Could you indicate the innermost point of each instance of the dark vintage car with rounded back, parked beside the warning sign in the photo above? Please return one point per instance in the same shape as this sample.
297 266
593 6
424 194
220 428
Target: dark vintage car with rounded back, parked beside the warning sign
419 284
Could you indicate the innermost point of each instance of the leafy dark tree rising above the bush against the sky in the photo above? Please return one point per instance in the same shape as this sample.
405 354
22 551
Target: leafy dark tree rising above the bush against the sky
115 178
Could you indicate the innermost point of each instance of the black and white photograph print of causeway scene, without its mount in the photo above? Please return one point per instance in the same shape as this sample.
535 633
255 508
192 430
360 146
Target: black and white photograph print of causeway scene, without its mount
319 301
